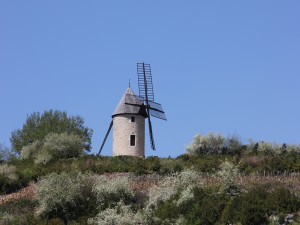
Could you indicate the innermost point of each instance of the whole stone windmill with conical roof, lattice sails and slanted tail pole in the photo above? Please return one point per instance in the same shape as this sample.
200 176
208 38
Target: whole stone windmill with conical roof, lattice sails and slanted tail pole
128 119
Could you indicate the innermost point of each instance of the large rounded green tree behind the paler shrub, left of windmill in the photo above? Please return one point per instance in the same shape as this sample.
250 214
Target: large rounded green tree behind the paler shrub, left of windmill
37 126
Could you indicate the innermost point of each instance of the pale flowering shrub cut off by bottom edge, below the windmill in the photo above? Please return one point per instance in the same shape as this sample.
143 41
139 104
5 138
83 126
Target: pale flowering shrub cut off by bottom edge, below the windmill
120 215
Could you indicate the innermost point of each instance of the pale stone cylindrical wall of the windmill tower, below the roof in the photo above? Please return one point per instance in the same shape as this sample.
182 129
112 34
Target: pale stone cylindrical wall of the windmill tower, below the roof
122 129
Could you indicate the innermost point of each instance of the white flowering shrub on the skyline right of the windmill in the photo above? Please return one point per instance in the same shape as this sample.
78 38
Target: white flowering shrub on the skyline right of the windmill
210 144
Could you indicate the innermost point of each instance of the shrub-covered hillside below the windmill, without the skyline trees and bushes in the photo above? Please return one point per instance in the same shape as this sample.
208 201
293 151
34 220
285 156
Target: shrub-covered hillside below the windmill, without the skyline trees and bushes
207 189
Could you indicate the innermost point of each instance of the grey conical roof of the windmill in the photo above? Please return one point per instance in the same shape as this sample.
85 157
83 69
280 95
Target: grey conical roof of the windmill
130 104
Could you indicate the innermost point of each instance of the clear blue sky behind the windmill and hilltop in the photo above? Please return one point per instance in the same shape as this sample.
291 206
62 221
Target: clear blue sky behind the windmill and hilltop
229 67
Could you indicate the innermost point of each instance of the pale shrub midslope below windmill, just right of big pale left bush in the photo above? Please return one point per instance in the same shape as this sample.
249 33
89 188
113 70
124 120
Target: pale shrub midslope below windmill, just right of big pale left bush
111 191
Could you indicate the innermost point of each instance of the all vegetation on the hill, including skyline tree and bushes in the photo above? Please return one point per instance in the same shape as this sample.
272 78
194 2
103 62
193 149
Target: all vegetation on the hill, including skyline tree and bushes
218 181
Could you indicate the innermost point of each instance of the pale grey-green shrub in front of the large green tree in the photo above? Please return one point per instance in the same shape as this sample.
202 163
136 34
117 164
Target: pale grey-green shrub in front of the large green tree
54 146
